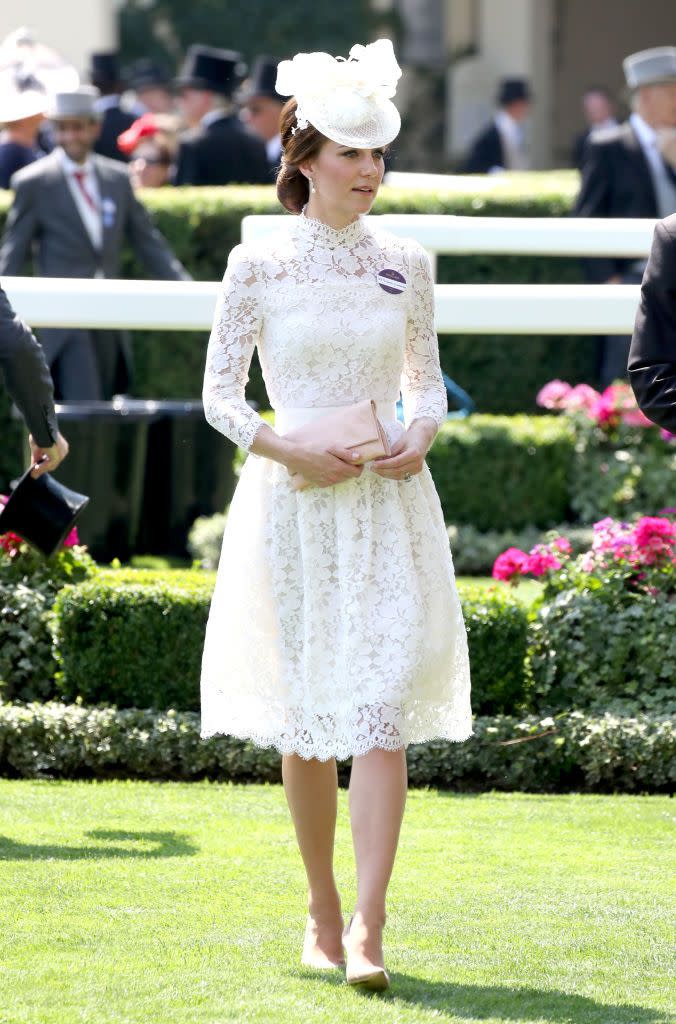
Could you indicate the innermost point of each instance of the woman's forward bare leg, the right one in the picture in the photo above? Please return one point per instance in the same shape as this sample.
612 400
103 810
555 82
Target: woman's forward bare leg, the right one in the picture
377 798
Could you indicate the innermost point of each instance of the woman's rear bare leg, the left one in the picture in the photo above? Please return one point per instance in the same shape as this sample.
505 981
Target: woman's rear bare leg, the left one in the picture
312 789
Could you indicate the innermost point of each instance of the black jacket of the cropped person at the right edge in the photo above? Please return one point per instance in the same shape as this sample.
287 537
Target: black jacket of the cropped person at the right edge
653 353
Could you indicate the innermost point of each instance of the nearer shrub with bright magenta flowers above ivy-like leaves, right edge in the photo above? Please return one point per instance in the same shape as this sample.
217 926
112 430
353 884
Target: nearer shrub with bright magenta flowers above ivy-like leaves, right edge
604 633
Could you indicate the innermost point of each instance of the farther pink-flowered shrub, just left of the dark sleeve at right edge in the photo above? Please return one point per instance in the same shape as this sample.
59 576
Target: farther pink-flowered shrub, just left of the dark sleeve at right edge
624 465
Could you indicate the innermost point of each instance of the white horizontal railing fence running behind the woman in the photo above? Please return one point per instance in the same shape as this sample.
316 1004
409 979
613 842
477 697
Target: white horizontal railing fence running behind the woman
459 309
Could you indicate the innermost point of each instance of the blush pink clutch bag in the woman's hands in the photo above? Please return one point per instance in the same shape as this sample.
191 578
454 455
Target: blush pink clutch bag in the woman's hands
356 428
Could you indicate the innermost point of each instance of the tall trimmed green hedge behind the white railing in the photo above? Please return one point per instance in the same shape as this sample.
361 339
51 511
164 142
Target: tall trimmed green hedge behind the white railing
502 374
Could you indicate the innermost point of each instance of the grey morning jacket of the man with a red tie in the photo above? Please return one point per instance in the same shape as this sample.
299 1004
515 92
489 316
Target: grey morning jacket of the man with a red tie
45 222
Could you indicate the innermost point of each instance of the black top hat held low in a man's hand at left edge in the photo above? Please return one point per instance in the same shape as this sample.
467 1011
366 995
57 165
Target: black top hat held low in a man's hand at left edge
43 511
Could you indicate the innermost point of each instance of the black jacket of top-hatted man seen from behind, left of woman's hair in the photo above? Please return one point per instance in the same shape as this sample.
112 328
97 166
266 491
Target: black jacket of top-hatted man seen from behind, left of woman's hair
222 153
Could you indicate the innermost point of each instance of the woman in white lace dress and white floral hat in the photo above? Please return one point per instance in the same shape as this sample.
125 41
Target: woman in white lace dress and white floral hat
335 628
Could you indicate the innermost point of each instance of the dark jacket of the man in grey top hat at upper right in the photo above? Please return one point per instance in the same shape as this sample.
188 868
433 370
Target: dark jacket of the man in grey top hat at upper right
616 183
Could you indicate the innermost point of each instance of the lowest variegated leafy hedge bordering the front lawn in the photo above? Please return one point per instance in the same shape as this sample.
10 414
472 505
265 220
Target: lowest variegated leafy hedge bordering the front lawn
572 753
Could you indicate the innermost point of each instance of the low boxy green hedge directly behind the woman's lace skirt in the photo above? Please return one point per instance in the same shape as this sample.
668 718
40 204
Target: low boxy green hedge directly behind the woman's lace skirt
135 638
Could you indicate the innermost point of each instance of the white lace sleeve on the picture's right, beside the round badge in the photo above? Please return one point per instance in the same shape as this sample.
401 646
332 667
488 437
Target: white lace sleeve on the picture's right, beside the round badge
424 391
